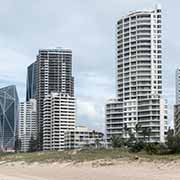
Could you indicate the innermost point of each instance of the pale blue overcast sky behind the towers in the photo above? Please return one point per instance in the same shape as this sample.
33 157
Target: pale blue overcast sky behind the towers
88 28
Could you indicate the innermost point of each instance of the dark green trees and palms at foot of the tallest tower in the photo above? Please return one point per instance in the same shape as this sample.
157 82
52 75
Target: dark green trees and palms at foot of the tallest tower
138 139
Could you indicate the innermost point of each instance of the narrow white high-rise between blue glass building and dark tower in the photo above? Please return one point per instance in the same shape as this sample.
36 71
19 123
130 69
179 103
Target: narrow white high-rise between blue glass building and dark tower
27 123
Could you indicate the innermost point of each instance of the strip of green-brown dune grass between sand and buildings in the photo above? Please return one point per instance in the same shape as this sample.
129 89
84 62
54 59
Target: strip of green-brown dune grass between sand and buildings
83 155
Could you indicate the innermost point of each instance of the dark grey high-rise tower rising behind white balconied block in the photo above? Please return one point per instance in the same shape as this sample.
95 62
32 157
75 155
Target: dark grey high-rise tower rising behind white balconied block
52 72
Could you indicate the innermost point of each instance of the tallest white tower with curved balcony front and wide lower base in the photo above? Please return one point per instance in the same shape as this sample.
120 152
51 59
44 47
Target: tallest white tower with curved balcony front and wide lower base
139 77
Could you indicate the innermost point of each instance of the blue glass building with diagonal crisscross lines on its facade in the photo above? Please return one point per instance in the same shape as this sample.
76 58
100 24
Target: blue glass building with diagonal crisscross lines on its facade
8 117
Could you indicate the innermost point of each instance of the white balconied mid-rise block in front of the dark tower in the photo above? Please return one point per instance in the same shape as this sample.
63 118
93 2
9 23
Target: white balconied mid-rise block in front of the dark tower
59 114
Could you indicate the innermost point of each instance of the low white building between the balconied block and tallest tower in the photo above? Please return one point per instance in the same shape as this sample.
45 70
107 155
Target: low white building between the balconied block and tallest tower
81 137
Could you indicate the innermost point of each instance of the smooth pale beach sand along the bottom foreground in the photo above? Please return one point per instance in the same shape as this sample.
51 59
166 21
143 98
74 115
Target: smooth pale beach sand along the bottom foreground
97 170
